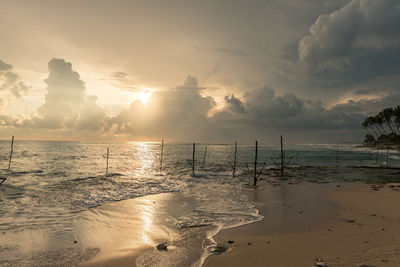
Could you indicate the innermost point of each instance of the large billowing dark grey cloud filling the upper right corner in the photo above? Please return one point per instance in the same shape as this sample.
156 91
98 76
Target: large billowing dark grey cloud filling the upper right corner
357 42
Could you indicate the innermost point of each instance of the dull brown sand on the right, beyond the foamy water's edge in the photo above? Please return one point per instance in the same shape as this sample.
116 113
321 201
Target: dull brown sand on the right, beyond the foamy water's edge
343 224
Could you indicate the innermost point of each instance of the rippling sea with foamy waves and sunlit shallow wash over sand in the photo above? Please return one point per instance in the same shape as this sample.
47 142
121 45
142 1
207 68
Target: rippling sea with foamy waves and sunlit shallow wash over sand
60 206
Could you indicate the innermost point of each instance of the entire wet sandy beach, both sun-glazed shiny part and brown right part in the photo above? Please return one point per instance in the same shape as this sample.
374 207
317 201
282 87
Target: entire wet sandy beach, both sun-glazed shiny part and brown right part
344 224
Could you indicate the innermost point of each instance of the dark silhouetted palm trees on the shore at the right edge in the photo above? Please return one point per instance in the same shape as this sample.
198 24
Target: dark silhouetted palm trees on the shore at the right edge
383 128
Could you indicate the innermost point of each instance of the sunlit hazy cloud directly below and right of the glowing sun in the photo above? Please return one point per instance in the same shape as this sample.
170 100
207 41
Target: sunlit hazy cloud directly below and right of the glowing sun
179 113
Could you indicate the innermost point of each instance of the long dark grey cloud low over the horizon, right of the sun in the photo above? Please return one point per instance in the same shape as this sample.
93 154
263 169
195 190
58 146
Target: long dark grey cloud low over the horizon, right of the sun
262 107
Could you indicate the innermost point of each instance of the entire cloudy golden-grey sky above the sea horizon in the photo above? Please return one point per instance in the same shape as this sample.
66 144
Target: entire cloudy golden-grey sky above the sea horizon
197 71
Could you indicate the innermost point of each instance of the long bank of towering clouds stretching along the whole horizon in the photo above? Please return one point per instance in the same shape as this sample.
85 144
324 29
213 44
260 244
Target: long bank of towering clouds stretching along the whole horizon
182 113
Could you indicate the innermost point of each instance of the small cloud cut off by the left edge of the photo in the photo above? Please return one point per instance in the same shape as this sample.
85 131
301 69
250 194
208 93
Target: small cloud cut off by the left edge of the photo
10 81
